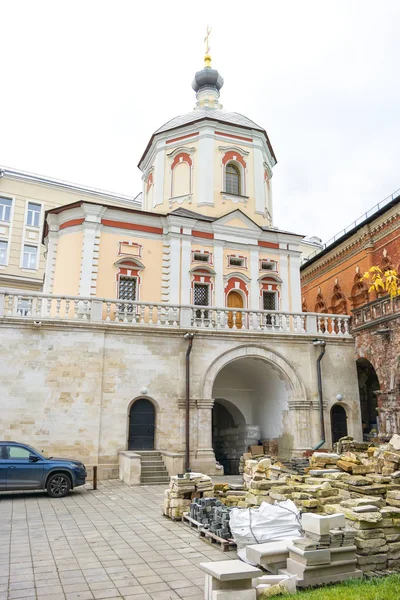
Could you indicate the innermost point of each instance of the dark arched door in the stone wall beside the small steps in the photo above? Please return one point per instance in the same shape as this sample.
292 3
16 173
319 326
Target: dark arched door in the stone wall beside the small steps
141 425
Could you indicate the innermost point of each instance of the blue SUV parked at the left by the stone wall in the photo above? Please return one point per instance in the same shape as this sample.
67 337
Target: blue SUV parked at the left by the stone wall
24 468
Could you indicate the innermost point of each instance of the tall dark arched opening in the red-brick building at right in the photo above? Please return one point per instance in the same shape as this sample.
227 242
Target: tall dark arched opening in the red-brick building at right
368 384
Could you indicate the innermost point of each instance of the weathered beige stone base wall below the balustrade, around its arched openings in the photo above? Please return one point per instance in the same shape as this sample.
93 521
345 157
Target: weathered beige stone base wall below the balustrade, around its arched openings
68 389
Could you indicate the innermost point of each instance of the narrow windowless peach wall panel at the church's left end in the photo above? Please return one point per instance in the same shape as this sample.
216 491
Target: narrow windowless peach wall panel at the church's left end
68 264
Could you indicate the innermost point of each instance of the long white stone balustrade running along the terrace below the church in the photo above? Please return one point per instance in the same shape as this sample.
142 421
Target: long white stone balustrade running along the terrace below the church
37 307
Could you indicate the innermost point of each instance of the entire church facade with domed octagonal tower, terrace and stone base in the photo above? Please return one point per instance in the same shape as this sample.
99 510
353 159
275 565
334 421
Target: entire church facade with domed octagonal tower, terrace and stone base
178 326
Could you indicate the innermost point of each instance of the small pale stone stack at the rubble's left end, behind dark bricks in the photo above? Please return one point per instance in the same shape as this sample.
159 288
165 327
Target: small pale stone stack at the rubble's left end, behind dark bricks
182 490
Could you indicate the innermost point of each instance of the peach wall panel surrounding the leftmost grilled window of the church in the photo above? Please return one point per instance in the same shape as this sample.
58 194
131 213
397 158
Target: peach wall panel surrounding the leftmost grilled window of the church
152 249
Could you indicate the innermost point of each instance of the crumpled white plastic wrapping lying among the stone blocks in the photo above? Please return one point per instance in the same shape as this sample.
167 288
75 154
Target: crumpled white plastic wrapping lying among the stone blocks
268 523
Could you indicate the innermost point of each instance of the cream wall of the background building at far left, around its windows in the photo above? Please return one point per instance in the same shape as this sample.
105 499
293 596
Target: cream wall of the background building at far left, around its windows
50 197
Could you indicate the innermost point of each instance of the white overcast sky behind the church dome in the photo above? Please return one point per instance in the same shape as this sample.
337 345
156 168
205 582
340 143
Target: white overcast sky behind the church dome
84 84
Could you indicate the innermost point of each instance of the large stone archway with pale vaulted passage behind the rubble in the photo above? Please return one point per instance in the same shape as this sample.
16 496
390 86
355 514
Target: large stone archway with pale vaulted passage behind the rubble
265 388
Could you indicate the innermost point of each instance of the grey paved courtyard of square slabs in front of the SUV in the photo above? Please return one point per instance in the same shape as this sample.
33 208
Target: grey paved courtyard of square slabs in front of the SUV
109 543
